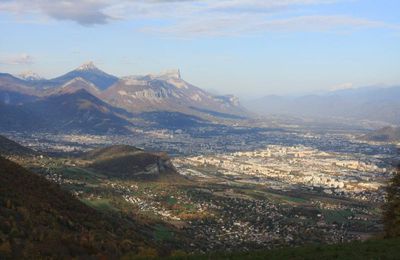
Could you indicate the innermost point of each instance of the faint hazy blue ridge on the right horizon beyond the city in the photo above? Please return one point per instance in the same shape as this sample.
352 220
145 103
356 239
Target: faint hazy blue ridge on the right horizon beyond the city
371 103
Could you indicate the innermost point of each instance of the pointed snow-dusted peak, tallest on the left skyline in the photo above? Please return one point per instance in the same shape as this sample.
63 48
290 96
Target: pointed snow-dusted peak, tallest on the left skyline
88 72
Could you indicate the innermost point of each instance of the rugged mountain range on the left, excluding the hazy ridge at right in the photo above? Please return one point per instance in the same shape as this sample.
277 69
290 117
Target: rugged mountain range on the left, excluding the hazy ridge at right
88 99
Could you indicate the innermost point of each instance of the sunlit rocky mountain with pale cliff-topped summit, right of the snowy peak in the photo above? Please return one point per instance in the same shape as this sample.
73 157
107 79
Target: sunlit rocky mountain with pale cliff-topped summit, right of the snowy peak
168 92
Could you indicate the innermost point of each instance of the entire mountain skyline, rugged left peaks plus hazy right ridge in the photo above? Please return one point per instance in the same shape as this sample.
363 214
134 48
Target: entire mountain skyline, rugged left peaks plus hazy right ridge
90 100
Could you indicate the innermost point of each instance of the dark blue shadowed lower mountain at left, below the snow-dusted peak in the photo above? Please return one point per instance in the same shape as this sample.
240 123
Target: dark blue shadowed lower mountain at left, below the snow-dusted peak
78 111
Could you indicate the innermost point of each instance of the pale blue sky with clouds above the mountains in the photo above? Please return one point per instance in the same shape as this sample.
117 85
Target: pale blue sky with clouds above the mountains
249 48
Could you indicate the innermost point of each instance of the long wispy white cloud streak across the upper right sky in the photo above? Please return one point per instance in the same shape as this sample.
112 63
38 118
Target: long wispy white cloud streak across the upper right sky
234 25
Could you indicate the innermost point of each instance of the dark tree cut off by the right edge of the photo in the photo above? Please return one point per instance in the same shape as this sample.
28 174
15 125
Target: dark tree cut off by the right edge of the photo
391 210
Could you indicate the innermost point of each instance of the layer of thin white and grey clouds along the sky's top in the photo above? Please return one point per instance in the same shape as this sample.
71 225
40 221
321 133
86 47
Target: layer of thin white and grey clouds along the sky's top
197 17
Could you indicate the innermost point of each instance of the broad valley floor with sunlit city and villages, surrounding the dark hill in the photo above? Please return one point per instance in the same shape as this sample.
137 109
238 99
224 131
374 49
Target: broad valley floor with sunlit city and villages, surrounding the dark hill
244 187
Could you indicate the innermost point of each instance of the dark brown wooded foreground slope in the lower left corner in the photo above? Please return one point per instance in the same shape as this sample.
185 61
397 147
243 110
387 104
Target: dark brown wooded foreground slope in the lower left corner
39 220
